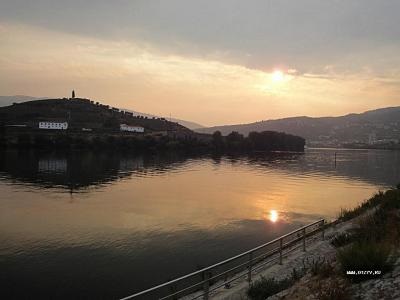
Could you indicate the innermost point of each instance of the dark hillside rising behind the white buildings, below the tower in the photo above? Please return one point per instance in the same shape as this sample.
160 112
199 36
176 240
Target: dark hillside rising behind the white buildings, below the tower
81 113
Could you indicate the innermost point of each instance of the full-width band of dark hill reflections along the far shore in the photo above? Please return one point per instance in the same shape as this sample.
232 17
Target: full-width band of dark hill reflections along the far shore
76 170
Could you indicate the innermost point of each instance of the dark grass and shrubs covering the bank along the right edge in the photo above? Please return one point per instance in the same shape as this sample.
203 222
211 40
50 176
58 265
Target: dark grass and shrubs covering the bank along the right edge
374 238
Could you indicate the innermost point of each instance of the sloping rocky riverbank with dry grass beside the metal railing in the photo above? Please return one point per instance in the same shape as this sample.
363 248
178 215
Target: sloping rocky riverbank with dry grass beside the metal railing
363 239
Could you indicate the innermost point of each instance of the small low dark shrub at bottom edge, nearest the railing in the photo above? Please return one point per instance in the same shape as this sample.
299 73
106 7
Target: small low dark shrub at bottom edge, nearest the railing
263 288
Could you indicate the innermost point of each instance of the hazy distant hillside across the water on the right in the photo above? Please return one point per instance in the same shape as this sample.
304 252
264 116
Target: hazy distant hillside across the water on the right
381 126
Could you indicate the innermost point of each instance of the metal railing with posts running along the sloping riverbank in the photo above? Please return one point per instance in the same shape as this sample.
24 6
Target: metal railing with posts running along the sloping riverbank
200 283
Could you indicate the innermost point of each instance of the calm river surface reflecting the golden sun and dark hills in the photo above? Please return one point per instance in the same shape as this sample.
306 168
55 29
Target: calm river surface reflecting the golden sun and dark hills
86 225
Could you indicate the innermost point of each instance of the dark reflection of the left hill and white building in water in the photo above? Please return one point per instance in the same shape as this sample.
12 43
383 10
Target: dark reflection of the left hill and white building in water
74 170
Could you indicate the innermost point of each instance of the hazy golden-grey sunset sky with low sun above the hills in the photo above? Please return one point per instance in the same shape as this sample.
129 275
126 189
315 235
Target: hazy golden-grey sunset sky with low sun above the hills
213 62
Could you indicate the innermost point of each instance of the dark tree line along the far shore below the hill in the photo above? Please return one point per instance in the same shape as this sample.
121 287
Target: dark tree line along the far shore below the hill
233 142
